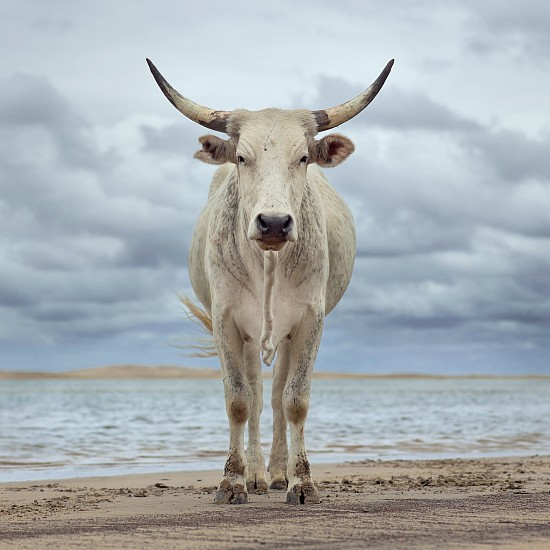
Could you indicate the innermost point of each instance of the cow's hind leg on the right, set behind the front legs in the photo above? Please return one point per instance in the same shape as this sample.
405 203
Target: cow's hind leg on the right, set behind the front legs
279 448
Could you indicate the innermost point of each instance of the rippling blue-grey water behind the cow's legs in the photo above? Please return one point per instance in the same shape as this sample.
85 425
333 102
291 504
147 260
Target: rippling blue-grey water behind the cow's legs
65 428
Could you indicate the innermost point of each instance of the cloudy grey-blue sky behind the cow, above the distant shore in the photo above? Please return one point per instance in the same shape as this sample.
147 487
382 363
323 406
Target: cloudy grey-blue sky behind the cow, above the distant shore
449 184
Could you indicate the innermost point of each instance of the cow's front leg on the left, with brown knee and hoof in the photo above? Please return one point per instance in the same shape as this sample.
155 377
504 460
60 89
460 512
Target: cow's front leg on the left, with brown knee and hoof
232 489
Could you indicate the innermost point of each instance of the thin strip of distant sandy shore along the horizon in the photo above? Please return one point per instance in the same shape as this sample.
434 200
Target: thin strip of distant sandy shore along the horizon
168 372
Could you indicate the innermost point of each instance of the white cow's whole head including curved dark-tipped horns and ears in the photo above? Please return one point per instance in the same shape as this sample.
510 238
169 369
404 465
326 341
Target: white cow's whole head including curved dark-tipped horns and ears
272 149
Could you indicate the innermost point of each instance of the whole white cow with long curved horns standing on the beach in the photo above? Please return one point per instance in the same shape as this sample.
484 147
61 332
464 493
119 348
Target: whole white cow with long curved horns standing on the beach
271 255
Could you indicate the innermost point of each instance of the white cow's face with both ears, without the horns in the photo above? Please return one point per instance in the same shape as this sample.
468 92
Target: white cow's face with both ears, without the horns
272 150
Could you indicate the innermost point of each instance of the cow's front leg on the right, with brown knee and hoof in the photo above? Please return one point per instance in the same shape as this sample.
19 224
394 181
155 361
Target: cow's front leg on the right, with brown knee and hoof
303 351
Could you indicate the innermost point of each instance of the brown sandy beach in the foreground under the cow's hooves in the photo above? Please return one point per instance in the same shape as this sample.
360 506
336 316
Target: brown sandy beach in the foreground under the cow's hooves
484 503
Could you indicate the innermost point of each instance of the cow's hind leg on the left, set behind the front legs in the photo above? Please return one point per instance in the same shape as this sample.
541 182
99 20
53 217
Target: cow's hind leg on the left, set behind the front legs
256 479
